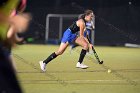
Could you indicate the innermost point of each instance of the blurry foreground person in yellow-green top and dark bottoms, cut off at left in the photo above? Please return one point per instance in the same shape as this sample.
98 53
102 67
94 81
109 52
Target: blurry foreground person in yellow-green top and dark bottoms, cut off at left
8 79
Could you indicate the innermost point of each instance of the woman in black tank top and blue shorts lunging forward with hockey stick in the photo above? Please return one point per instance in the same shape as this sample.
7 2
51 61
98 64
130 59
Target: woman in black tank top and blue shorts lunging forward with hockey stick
69 37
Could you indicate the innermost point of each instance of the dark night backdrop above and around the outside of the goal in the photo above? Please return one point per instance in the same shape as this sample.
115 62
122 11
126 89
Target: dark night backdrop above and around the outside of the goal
117 21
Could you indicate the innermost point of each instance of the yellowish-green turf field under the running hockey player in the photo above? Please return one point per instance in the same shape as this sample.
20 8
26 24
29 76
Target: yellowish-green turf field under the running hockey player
63 77
